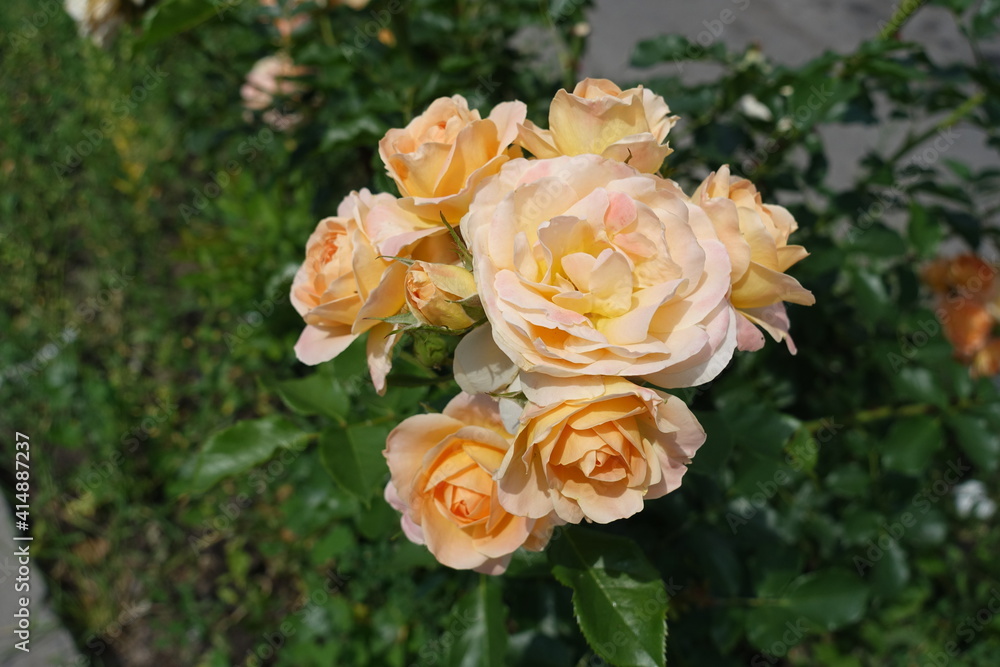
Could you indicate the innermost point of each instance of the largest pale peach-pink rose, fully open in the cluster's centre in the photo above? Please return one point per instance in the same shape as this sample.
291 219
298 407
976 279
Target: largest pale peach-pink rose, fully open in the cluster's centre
587 267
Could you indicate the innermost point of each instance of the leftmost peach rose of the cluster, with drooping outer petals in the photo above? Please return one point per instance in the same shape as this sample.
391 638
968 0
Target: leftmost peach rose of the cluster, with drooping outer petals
348 279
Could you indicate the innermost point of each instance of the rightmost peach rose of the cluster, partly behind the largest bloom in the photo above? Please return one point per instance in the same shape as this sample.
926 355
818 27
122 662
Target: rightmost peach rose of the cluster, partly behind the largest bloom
756 236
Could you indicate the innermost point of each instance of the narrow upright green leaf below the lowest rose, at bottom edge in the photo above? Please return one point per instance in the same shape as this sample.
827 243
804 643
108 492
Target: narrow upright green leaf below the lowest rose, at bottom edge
482 636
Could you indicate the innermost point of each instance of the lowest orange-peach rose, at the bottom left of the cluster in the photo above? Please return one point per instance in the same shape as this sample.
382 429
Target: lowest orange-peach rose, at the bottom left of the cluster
442 468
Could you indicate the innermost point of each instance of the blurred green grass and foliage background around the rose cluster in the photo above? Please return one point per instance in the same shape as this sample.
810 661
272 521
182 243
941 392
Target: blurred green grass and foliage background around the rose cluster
149 230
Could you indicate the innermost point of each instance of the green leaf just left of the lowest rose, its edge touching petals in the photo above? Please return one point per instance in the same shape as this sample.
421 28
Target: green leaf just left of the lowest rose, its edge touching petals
353 457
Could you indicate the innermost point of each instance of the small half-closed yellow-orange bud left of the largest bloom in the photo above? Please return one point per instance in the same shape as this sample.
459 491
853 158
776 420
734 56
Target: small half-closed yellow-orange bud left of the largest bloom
433 290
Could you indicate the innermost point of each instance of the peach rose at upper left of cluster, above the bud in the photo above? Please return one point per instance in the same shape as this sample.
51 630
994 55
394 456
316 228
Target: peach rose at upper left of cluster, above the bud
445 152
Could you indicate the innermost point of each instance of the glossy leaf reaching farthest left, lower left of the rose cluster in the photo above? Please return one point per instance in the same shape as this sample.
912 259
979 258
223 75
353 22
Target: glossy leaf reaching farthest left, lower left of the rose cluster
241 446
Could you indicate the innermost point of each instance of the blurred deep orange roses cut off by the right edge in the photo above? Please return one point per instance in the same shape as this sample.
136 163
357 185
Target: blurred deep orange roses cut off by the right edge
968 306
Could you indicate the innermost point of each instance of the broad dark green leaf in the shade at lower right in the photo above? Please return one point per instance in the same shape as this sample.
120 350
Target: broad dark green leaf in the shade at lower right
830 598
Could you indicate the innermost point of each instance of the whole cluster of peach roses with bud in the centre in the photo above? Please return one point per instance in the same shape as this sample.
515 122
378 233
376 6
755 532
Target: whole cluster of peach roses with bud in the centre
577 277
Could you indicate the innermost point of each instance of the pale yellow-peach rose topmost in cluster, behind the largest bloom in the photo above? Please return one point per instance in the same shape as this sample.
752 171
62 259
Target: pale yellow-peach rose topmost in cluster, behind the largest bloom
599 117
